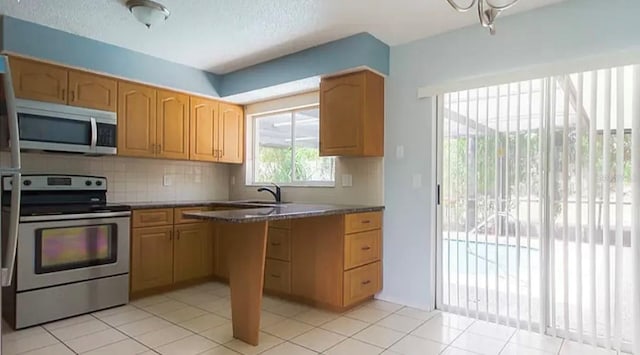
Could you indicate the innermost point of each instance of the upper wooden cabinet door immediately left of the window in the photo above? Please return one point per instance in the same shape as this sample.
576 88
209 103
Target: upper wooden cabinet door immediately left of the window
230 134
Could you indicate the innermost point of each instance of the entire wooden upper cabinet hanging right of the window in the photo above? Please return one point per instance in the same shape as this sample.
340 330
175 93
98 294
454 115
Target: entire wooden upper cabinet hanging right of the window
352 115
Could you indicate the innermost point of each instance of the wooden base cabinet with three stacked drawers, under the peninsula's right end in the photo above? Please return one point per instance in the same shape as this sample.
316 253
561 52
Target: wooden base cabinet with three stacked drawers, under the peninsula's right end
331 265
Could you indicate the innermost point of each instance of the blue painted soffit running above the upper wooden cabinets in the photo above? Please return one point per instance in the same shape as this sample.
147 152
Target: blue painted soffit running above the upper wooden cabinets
34 40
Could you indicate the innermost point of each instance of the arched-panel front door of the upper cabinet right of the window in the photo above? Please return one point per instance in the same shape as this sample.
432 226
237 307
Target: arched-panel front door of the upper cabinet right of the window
341 115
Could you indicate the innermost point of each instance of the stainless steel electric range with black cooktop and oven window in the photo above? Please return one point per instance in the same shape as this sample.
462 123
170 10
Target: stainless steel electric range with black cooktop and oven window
72 250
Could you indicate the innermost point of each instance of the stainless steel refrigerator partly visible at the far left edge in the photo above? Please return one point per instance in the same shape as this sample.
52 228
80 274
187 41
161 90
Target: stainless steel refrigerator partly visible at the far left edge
9 138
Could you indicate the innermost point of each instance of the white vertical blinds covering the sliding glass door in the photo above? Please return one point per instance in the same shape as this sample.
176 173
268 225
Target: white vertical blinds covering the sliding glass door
540 199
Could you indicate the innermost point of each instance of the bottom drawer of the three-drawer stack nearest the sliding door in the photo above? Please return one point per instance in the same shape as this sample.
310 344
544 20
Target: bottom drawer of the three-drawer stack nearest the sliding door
361 283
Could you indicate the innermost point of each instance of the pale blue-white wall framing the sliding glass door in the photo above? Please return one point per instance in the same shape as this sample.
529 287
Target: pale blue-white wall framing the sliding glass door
576 32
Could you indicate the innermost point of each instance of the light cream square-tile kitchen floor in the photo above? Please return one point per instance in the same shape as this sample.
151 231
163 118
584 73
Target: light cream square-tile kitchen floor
197 321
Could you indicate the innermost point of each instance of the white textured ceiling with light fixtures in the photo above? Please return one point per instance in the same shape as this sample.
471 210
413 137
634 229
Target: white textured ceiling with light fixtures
225 35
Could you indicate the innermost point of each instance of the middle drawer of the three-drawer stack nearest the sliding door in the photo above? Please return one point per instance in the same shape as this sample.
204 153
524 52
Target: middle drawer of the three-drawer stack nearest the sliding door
361 248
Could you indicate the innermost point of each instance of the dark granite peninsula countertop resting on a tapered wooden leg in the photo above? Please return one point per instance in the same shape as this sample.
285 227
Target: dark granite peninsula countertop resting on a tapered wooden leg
284 211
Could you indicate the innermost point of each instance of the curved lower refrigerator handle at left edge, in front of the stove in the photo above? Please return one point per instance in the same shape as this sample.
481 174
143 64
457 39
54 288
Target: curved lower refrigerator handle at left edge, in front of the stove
9 262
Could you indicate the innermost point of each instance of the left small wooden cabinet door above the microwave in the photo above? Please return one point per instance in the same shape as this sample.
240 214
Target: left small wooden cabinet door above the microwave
39 81
